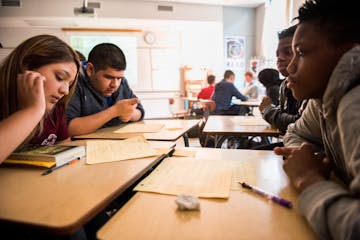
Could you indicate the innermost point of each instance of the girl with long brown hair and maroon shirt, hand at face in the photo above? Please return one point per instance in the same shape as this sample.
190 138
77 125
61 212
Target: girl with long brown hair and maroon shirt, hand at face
36 81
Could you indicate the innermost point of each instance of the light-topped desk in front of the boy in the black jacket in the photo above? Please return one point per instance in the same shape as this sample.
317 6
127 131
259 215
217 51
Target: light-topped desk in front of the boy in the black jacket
222 126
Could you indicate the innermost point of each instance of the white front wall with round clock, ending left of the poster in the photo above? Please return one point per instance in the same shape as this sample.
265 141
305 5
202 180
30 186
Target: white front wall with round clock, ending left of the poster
189 35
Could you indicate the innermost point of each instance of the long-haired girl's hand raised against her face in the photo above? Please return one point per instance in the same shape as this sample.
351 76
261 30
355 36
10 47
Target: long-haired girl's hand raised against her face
30 90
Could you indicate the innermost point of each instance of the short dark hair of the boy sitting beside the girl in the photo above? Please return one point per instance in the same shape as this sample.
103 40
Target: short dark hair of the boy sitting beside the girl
106 55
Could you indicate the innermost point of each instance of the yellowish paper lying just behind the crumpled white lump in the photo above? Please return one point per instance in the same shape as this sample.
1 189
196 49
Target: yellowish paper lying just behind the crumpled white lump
199 177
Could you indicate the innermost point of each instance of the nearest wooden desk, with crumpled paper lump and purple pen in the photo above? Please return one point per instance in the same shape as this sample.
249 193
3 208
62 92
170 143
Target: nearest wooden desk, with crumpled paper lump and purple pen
244 215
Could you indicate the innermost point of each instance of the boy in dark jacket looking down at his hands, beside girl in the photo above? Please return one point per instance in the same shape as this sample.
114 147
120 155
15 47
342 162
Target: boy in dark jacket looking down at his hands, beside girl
103 98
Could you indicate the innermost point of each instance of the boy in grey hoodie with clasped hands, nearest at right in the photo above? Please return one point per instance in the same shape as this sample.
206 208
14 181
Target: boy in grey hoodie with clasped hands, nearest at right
326 70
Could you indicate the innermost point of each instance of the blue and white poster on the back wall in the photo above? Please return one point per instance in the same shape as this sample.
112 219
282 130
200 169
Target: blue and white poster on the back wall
235 52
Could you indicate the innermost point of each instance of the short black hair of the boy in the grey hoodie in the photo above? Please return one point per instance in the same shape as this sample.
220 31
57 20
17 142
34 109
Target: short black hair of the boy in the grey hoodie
338 19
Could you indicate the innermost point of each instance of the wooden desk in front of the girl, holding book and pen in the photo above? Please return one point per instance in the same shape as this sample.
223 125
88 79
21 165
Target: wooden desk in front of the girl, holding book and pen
66 199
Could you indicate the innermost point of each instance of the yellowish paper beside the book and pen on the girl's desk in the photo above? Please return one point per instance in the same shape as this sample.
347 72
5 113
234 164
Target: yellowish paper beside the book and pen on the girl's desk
101 151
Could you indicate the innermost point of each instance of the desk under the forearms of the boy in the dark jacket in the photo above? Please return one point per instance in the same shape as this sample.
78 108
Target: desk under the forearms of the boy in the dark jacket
172 131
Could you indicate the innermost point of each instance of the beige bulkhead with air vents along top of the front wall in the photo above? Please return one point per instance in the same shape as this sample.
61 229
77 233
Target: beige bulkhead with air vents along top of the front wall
116 9
